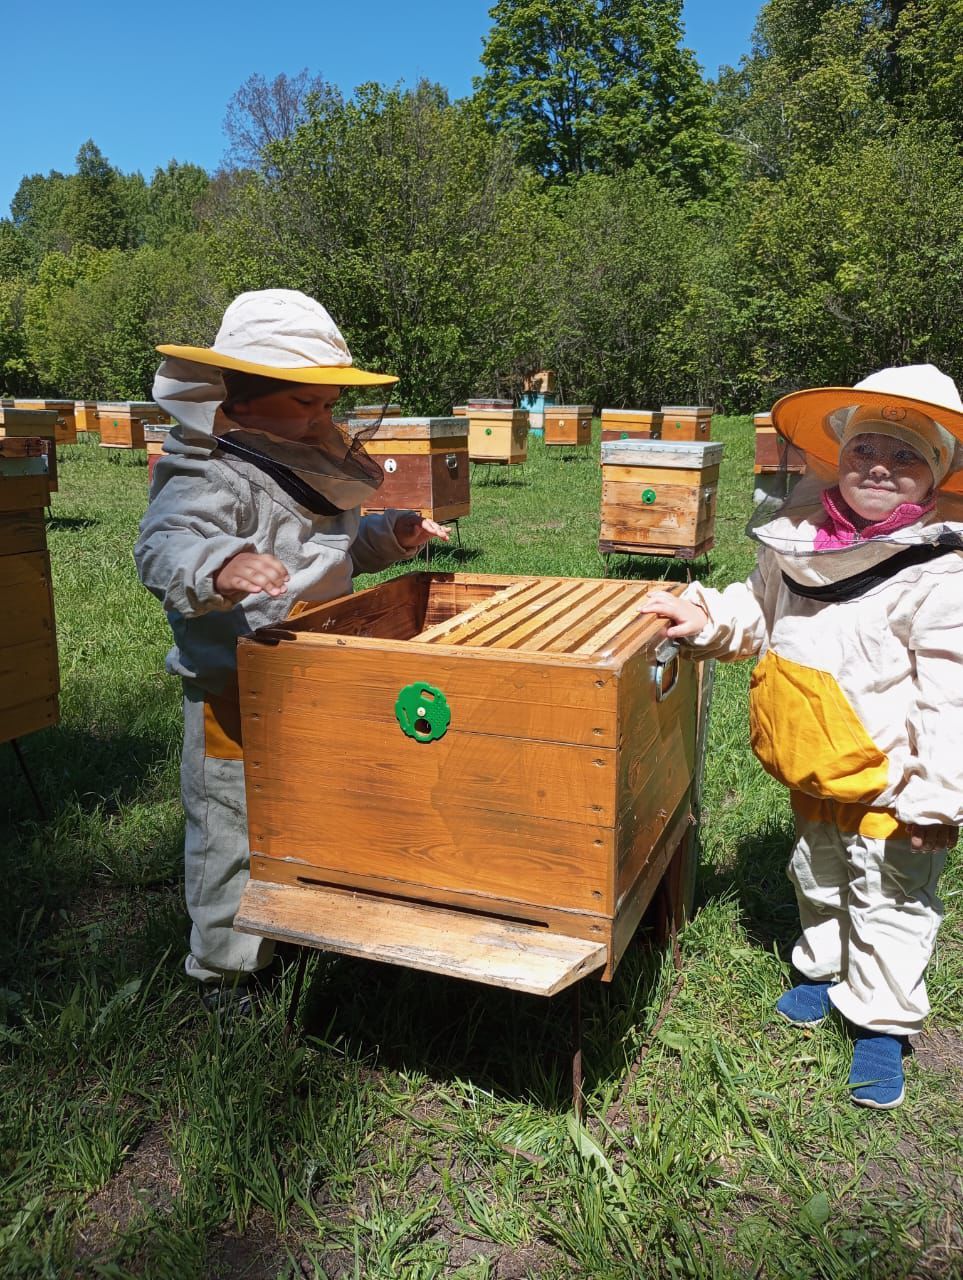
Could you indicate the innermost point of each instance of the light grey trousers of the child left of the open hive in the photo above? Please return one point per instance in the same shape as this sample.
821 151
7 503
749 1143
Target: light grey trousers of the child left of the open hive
217 856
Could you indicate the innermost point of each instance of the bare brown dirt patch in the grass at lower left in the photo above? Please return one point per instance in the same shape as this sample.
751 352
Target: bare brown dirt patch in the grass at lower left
147 1181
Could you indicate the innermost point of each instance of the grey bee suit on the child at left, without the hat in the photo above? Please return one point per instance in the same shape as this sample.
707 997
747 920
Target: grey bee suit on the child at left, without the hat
207 508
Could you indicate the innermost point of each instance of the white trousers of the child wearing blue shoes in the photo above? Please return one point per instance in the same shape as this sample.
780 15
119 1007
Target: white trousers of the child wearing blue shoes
870 913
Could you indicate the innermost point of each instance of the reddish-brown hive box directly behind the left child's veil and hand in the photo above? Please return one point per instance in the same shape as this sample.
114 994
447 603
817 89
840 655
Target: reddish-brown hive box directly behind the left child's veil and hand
426 463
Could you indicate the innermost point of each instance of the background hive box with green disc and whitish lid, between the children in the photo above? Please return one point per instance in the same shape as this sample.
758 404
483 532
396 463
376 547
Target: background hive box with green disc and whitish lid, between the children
659 499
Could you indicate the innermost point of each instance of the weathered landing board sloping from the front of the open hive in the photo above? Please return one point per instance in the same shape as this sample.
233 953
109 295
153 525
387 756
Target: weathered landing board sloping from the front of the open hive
431 939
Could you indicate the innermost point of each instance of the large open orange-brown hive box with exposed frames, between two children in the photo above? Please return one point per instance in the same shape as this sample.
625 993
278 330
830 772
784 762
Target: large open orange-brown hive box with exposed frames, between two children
476 775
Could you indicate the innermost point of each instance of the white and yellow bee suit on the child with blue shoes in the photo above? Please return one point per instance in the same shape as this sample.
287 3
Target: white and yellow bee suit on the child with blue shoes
857 707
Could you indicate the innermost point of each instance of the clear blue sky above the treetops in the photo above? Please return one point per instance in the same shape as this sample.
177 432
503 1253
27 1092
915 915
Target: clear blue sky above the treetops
152 83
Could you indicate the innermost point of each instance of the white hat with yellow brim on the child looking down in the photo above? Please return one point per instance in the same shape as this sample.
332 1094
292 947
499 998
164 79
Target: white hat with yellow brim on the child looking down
281 333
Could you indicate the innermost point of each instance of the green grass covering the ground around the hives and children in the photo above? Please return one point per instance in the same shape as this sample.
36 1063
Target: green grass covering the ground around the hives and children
422 1127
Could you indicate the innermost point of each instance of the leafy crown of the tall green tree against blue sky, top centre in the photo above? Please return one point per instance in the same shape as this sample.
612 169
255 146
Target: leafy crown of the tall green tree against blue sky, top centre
599 86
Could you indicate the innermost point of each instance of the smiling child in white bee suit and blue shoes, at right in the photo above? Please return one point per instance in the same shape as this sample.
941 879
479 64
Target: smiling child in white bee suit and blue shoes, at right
856 610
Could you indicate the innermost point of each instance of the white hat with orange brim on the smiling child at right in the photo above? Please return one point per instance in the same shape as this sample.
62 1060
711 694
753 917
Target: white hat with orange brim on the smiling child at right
915 404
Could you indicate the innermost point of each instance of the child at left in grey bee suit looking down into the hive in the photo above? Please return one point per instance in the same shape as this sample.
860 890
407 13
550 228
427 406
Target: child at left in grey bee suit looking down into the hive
254 506
